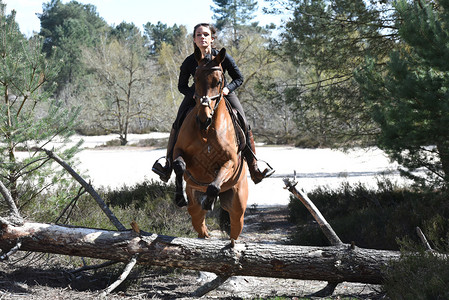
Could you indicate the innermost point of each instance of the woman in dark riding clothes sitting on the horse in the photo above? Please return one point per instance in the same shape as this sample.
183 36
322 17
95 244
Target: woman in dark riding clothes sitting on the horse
203 38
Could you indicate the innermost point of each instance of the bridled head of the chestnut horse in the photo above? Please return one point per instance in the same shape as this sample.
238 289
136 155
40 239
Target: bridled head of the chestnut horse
209 83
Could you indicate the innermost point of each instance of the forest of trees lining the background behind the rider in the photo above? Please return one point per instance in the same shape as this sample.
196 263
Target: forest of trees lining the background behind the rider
339 73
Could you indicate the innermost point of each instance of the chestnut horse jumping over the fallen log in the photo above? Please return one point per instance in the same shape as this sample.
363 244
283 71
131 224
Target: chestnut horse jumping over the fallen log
206 153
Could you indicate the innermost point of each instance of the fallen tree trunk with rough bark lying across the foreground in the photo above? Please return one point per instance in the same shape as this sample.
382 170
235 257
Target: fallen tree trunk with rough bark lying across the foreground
335 264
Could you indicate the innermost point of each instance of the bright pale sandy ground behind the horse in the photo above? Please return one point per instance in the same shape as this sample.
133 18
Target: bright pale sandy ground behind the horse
115 167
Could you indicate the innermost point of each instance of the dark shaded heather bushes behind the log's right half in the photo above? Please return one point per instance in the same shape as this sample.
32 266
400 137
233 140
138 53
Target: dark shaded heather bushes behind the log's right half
372 218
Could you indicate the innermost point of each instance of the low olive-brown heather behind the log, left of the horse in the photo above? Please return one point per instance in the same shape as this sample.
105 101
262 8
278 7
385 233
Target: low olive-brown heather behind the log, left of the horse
150 204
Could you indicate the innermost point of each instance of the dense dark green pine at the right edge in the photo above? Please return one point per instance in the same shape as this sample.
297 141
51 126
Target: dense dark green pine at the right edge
408 98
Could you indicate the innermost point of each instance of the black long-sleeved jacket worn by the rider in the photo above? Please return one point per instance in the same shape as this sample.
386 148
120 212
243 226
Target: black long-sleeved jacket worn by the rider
188 69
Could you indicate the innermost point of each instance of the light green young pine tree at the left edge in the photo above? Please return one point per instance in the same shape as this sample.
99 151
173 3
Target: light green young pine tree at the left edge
29 119
